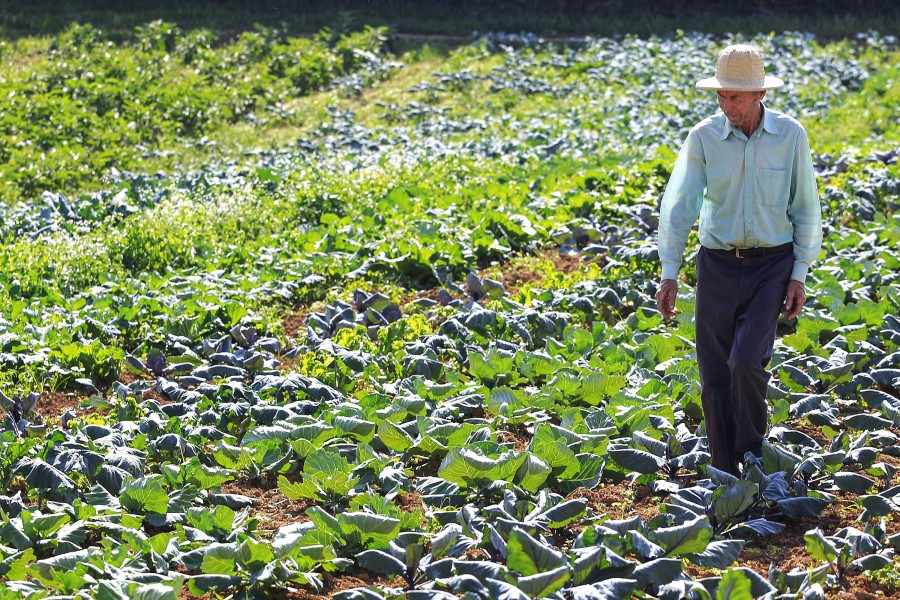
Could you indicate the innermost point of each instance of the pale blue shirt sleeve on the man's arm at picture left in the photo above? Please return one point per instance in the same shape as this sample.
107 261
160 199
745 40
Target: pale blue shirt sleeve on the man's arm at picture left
680 205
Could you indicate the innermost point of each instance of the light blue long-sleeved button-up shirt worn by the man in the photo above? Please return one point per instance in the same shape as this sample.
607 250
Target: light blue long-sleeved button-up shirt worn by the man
748 193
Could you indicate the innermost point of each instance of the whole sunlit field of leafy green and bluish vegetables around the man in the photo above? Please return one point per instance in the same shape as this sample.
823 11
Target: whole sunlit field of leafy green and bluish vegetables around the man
300 317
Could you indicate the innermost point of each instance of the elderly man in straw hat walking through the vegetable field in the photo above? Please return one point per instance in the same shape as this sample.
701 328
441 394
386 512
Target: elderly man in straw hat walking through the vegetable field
747 173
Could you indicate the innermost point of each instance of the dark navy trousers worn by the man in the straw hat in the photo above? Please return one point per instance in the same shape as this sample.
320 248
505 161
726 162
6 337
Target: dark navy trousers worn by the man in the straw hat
737 305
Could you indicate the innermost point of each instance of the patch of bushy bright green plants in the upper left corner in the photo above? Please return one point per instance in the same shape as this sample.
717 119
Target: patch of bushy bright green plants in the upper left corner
88 105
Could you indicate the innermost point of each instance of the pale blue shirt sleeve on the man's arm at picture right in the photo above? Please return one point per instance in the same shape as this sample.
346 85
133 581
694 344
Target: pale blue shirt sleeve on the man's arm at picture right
804 211
